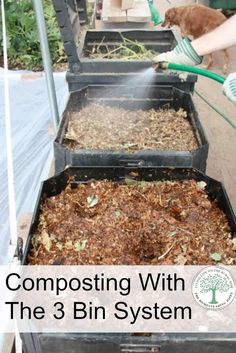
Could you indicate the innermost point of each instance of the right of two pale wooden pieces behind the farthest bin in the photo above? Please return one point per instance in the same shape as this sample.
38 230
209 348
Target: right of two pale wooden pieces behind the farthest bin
140 12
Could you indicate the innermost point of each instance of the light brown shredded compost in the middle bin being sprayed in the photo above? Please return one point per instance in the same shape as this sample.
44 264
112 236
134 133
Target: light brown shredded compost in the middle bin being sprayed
98 126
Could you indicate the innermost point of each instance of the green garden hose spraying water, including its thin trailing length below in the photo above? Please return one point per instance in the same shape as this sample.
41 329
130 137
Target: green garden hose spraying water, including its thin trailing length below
202 72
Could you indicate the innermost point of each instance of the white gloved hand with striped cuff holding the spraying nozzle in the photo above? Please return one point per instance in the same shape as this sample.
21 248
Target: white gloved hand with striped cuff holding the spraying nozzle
183 54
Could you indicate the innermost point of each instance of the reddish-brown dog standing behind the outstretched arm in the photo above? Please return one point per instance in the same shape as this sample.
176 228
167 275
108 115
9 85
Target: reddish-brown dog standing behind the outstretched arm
196 20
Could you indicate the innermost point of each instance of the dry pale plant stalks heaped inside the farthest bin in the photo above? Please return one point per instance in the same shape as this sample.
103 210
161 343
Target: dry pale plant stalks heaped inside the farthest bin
126 50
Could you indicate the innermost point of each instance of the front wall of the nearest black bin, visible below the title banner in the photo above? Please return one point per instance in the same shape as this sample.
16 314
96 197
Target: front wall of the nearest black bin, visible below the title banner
126 343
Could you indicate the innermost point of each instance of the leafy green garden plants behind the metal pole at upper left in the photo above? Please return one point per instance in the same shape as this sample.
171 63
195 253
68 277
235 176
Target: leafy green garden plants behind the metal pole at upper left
22 35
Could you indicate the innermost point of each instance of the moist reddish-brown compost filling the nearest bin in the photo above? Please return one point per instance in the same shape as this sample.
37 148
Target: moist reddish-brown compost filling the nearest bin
133 222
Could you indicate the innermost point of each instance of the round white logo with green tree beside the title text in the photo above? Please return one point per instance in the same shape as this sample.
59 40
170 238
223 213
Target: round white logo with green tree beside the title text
213 288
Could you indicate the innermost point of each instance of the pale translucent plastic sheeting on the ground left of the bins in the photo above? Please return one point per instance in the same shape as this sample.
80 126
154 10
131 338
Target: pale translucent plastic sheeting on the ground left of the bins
32 140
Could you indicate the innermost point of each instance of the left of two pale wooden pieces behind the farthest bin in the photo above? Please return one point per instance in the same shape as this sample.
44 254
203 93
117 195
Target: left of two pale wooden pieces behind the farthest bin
111 11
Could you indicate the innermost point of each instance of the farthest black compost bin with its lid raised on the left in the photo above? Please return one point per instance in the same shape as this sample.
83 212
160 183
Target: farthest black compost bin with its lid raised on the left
84 70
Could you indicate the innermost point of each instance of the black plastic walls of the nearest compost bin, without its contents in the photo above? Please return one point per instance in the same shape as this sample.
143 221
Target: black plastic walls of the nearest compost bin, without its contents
124 342
